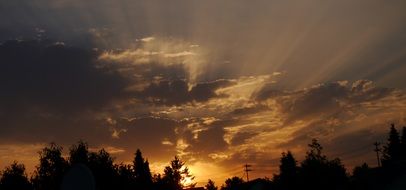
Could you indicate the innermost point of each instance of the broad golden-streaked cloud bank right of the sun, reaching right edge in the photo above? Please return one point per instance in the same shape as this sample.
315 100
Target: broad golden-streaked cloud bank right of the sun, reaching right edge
258 131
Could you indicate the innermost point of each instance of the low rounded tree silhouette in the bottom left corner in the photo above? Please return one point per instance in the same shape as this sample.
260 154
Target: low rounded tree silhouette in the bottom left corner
14 178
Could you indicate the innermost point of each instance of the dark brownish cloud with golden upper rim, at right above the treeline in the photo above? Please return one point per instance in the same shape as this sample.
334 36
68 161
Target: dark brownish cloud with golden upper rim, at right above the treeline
324 99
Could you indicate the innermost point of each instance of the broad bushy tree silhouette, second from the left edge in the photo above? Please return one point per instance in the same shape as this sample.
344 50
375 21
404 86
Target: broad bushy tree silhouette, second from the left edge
49 174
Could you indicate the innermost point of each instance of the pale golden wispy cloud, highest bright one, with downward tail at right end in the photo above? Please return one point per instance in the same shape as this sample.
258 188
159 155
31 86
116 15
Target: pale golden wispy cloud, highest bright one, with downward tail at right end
165 52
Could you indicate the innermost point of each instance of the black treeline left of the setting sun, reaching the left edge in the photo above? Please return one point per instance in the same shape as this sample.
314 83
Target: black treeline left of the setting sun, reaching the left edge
53 168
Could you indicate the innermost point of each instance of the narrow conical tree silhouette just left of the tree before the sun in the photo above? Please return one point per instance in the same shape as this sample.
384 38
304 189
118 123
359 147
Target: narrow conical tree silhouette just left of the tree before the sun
142 172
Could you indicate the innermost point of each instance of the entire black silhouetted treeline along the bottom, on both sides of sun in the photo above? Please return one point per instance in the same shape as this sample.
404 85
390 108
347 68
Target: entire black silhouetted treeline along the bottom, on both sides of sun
315 172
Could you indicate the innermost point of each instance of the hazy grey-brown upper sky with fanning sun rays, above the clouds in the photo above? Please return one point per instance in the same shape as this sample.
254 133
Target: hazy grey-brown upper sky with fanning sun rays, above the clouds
344 41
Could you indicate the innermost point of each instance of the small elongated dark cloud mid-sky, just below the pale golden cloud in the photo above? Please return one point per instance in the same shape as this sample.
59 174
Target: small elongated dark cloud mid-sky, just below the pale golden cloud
177 92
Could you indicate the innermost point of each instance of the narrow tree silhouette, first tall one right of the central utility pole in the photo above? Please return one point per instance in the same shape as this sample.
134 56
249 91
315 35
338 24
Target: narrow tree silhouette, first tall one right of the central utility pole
288 172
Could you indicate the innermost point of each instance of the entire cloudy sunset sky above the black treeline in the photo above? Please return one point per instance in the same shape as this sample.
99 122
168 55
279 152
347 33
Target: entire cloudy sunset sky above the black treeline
219 83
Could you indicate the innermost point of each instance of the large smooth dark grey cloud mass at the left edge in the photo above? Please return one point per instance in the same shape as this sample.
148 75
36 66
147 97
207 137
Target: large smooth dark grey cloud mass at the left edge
55 78
